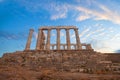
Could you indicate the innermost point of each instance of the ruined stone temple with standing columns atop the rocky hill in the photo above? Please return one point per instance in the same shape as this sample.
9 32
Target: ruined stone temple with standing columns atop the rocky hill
41 45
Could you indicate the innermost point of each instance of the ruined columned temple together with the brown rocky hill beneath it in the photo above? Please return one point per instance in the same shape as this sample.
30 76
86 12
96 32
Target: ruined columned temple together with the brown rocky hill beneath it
59 61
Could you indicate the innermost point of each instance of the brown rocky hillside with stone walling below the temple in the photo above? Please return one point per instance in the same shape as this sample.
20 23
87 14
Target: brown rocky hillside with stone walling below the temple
49 65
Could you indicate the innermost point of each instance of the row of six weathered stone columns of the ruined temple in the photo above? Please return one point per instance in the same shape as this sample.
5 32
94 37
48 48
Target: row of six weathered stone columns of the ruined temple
40 42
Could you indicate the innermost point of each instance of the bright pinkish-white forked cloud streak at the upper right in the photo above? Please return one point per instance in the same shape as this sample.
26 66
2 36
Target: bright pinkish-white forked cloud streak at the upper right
104 14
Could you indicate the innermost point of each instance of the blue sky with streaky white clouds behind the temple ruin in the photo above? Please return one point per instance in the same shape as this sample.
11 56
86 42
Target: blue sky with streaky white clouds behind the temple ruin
98 22
